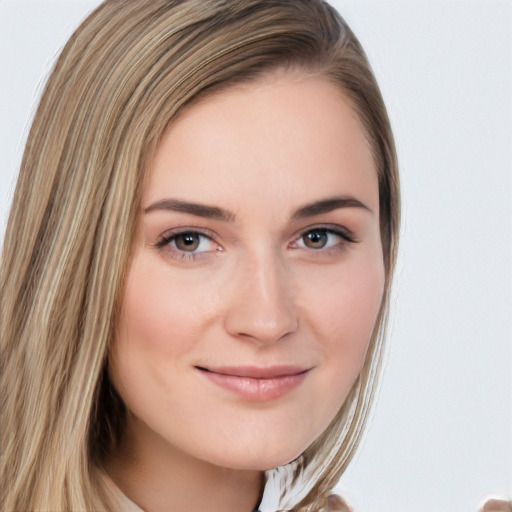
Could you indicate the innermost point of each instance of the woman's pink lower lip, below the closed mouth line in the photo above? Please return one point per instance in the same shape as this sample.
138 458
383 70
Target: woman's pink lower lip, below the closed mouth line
256 390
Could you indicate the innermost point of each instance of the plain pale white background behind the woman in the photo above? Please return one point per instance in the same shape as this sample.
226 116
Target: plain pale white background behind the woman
441 434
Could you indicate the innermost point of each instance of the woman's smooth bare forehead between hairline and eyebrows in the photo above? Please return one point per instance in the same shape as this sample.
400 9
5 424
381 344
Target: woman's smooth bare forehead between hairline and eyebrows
289 139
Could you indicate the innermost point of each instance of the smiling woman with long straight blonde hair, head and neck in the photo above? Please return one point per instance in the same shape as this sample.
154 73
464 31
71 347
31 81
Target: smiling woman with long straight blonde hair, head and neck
197 265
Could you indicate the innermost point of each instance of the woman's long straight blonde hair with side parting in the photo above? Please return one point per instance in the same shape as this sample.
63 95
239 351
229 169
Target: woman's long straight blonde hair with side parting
120 80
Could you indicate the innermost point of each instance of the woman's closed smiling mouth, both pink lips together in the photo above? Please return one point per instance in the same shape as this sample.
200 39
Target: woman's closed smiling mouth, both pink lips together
255 384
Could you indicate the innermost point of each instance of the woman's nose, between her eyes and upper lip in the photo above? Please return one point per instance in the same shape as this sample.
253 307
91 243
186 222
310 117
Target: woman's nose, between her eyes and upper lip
261 307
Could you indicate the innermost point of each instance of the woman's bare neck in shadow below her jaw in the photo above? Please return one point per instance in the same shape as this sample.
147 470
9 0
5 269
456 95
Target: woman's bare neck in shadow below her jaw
160 478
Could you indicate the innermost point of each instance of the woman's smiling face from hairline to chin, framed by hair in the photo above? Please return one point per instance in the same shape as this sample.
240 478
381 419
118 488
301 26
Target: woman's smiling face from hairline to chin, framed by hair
256 276
